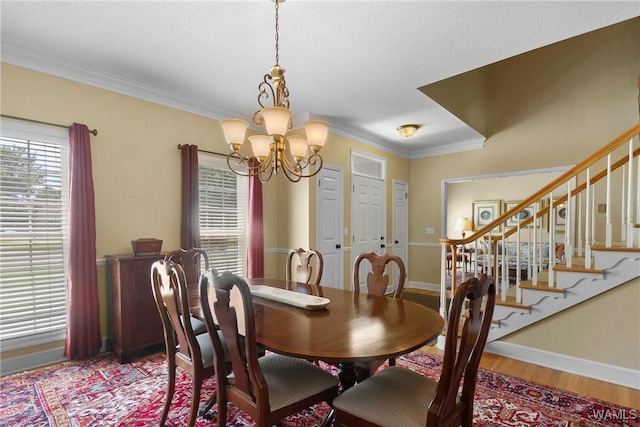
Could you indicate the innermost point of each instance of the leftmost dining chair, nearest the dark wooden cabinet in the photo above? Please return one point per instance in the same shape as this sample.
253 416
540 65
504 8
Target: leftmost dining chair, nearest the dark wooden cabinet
185 349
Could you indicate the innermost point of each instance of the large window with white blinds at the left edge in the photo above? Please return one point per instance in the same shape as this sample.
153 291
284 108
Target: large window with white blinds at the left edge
34 192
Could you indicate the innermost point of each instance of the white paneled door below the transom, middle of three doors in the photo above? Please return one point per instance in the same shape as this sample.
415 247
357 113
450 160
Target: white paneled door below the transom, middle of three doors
368 201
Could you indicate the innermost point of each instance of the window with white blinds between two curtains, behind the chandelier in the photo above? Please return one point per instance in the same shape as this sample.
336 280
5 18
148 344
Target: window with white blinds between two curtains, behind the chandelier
223 215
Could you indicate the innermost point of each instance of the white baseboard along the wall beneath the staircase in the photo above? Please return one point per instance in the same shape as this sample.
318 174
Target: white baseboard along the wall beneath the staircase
586 368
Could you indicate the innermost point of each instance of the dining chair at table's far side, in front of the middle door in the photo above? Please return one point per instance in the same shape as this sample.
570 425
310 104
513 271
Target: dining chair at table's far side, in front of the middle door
377 282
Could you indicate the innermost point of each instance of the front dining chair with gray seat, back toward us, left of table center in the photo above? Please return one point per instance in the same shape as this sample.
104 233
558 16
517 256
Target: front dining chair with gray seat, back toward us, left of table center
268 388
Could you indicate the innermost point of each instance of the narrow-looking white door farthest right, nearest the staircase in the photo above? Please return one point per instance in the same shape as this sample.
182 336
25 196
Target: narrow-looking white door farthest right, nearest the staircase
400 225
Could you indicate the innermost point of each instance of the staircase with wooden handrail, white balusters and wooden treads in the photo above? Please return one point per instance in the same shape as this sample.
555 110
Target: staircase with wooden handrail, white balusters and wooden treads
563 213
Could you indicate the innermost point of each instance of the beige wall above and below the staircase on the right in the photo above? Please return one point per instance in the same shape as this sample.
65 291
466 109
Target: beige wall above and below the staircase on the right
548 108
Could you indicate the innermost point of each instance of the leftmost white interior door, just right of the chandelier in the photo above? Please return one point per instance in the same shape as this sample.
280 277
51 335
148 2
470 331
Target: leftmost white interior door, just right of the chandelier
329 224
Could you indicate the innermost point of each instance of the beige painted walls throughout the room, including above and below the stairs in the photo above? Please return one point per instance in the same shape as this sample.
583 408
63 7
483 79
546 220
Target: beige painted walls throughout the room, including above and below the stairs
549 109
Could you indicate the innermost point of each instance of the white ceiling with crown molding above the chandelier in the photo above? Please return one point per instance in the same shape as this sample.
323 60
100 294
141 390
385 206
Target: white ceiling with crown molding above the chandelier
358 64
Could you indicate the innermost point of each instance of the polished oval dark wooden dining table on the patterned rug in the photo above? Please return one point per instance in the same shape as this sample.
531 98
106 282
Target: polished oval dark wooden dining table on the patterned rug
353 327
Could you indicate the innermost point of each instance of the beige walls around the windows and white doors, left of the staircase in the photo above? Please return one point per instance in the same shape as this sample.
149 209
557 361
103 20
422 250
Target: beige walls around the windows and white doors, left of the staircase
136 168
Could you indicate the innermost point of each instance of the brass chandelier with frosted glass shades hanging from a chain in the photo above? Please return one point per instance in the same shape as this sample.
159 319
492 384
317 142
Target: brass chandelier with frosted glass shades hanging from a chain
293 154
